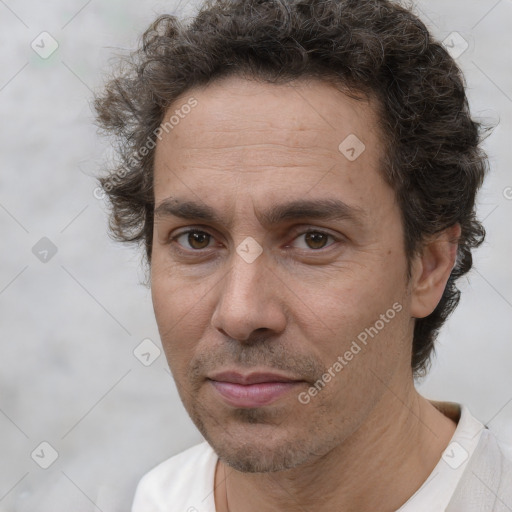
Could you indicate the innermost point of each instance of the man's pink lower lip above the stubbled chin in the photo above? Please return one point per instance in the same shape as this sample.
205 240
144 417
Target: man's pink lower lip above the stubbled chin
253 395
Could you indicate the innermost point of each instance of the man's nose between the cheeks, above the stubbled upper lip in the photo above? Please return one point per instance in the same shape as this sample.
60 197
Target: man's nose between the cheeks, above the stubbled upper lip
249 300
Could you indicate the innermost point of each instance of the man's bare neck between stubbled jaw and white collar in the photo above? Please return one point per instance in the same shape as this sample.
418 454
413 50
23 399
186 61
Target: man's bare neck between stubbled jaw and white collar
378 468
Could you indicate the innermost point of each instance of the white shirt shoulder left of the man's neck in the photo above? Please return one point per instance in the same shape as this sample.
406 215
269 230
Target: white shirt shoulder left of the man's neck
184 482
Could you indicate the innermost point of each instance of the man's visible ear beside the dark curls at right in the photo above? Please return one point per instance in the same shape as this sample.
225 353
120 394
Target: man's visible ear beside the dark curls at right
431 270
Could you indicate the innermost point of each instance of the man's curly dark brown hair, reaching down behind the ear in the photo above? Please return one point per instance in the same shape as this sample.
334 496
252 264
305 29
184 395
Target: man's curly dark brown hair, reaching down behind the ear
367 48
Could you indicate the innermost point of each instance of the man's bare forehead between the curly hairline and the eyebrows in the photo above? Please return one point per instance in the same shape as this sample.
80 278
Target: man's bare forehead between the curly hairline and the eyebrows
289 139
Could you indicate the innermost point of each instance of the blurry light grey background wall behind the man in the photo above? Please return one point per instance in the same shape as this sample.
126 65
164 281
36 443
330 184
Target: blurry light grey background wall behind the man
69 326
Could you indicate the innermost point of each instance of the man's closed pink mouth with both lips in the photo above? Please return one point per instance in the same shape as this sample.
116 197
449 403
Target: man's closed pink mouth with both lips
253 390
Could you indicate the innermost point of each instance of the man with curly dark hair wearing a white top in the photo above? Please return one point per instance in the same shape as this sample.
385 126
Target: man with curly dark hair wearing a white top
303 176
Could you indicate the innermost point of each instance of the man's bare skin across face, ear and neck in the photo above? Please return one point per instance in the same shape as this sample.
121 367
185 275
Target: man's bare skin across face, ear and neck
367 441
